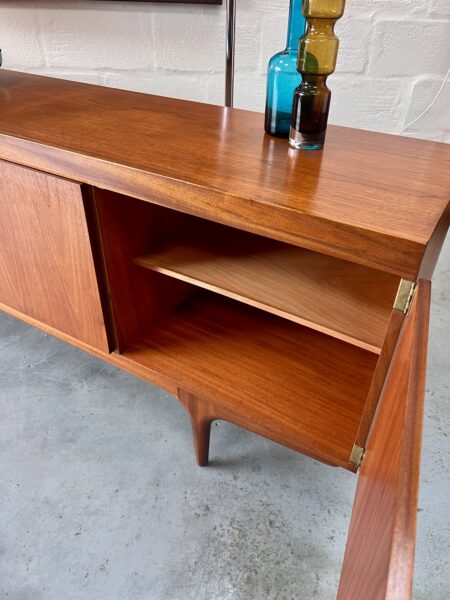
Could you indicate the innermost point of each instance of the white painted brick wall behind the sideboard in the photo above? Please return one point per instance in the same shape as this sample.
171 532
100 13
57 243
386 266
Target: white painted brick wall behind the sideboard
393 58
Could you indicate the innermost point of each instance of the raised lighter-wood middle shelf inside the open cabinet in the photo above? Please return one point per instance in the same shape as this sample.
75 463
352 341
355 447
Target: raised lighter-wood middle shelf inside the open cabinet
348 301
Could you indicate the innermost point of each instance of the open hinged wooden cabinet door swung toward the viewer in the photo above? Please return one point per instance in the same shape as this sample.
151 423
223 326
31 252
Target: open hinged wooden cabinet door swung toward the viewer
379 557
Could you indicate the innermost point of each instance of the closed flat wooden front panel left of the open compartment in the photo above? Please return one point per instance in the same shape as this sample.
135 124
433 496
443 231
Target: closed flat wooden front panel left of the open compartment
46 265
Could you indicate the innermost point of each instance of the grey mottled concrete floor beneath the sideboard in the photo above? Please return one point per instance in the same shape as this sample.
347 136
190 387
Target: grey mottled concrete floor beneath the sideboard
101 500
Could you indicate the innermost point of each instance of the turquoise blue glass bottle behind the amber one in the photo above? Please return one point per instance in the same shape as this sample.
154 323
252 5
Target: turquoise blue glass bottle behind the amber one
283 77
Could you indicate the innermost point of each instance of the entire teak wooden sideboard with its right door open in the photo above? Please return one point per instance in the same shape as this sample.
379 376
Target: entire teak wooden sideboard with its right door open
287 292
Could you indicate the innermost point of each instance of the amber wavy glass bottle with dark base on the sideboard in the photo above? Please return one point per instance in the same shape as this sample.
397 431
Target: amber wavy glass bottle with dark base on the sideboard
317 54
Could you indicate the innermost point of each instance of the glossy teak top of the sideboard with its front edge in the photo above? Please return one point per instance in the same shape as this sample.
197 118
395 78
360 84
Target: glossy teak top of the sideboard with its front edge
371 198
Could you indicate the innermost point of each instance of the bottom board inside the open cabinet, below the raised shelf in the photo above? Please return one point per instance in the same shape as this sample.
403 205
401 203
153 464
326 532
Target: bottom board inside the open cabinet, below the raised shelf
236 355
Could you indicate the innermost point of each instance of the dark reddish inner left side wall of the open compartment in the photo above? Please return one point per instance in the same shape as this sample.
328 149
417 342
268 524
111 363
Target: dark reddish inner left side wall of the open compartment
137 298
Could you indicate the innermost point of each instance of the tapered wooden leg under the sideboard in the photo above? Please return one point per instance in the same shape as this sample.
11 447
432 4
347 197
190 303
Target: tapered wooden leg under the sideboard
201 416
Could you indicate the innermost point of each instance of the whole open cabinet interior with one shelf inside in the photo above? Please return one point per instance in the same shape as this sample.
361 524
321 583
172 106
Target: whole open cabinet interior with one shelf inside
217 311
